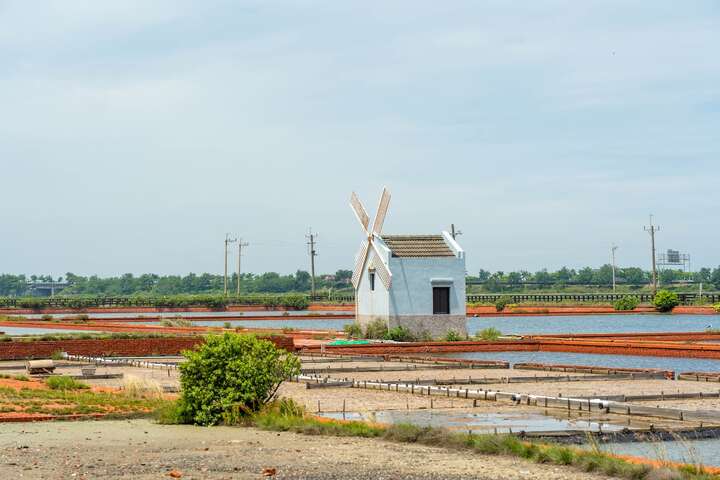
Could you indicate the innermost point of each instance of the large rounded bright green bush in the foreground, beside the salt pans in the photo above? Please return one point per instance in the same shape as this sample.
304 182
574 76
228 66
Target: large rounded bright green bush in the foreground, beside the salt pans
231 376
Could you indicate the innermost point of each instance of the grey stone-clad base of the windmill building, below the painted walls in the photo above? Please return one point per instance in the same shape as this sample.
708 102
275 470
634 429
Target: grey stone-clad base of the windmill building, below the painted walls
422 326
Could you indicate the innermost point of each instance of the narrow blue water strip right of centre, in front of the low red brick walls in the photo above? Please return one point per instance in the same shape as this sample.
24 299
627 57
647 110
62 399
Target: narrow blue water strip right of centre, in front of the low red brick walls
621 361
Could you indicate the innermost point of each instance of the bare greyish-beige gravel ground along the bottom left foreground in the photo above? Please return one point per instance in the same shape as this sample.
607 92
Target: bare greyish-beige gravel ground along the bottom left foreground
139 449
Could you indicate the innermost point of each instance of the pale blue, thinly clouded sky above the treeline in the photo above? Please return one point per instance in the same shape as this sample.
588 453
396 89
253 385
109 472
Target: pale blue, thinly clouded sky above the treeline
135 134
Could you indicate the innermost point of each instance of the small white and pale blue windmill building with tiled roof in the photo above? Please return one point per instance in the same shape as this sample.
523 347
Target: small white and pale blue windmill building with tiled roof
414 281
